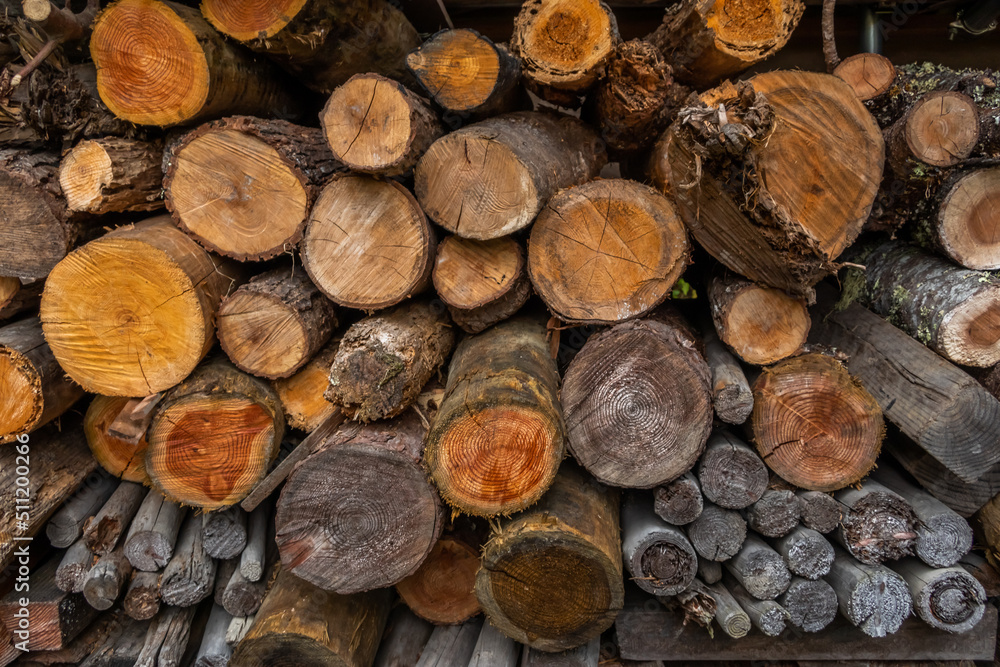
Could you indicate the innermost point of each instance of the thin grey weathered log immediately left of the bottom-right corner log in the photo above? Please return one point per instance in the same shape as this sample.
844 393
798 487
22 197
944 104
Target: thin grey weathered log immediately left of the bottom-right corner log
872 597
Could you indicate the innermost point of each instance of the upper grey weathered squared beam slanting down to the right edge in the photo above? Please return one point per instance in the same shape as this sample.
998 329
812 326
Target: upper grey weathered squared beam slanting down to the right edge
945 411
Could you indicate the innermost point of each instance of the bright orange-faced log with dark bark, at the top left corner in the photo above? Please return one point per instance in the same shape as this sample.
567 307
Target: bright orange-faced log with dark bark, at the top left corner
188 72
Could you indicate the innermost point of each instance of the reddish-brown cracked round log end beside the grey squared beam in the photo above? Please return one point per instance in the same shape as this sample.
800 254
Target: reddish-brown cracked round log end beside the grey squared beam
791 397
